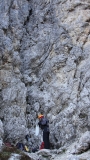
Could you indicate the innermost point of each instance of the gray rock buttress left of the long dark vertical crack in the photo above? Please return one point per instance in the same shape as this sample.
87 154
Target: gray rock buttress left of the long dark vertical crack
13 90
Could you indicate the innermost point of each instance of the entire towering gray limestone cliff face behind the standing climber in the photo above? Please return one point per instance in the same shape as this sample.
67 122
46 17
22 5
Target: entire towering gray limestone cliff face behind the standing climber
45 67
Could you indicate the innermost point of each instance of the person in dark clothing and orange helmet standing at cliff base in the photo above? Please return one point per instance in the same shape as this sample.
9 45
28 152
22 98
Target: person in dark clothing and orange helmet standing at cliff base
44 125
